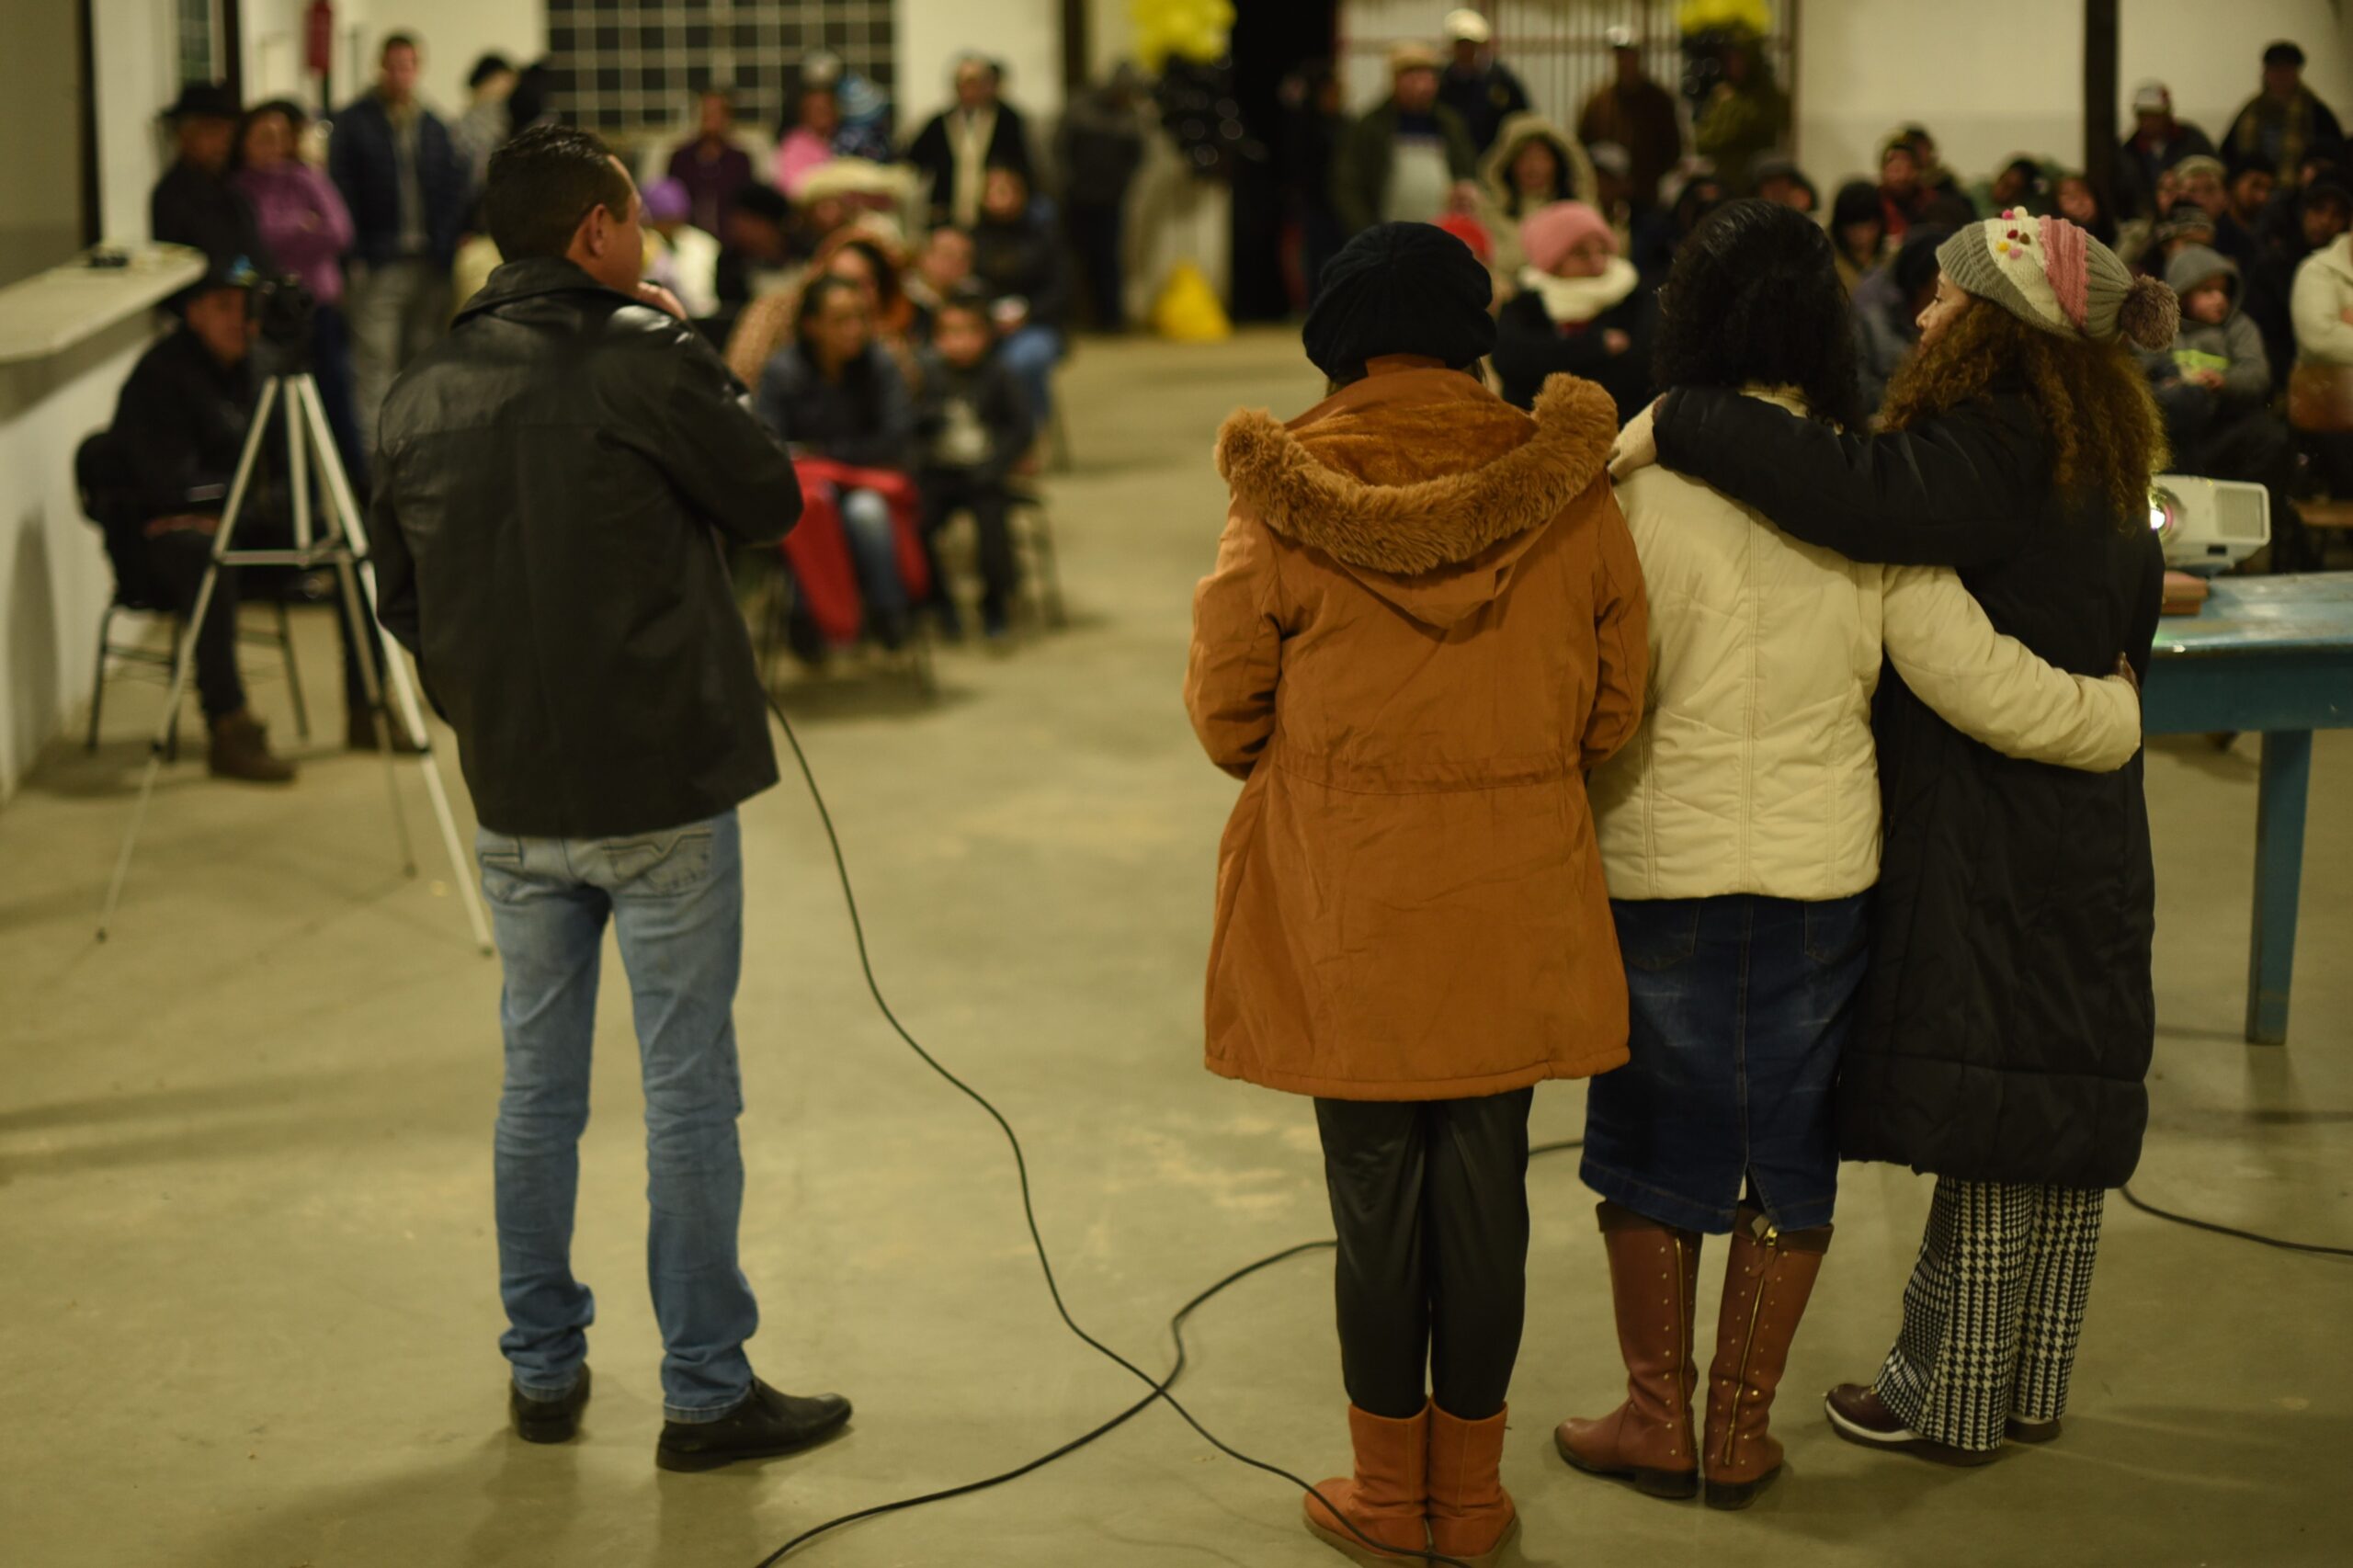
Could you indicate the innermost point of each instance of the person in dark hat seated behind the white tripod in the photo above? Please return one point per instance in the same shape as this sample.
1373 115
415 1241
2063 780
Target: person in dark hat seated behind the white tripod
164 479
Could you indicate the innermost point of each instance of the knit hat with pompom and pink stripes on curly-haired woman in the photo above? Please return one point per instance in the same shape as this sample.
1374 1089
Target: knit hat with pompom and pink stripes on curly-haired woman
2055 277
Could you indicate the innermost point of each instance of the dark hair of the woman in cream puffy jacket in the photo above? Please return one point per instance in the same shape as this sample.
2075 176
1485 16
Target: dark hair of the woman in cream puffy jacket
1754 300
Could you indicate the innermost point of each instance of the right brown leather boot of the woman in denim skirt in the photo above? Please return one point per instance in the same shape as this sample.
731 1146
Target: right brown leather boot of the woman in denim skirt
1768 1280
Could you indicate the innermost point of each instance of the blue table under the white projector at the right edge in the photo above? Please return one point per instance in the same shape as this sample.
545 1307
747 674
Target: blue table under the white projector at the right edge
2269 656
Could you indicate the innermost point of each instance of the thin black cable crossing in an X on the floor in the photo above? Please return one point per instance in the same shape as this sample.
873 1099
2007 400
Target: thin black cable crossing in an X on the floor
1029 1214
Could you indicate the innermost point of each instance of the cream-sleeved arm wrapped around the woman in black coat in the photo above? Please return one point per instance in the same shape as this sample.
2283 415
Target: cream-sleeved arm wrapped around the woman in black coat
1994 689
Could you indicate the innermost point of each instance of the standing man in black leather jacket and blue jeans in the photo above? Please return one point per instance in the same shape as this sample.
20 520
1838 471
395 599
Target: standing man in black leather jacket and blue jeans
554 489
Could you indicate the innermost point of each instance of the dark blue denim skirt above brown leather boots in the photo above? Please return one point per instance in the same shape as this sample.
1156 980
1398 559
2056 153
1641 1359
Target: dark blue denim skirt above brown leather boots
1740 1009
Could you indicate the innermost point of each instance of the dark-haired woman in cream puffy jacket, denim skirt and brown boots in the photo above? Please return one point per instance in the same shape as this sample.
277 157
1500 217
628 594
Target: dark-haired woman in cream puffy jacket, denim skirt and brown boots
1740 835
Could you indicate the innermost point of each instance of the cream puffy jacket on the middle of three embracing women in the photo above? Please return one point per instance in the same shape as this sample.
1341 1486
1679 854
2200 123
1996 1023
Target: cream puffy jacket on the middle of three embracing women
1754 766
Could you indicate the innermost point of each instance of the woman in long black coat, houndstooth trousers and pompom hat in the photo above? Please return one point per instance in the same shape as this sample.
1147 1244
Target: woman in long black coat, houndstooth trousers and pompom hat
2011 1016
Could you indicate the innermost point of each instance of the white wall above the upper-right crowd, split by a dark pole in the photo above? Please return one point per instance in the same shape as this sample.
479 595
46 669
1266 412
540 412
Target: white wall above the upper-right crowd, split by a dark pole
2006 77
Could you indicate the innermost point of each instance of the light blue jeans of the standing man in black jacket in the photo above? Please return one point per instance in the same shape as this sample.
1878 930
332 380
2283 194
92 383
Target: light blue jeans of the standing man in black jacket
676 901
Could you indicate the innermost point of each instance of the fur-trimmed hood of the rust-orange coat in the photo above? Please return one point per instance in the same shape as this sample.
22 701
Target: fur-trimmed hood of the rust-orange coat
1420 481
